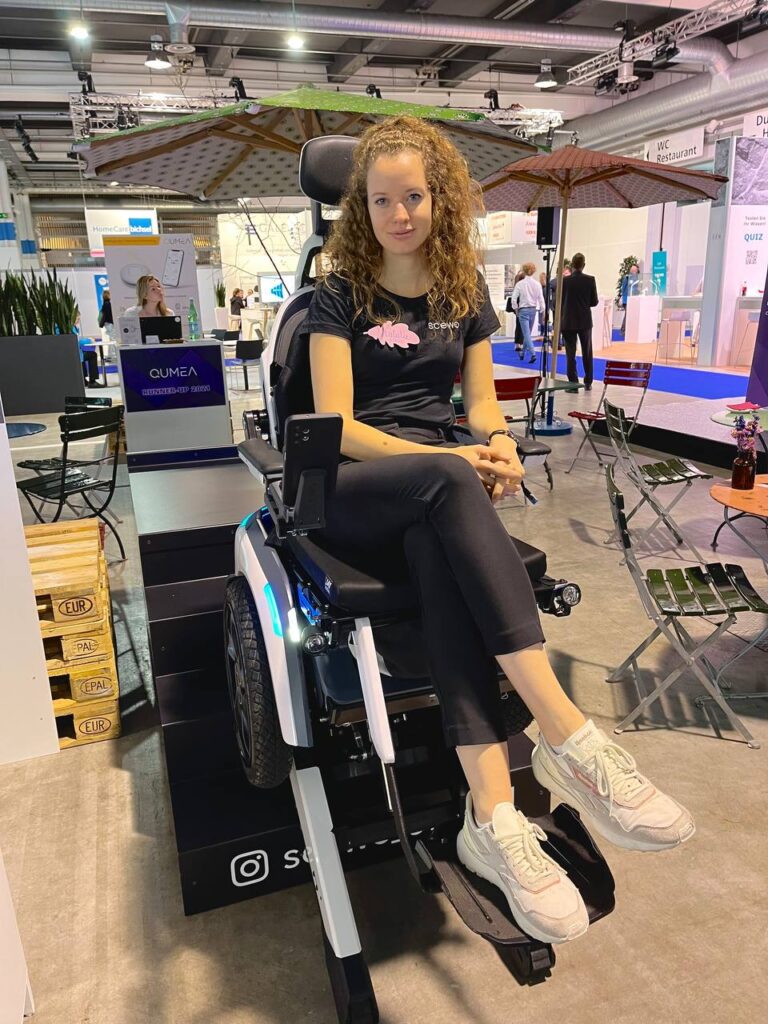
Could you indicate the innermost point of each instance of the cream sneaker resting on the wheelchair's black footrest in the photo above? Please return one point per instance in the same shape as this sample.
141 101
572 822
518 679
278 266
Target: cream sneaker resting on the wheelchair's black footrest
544 902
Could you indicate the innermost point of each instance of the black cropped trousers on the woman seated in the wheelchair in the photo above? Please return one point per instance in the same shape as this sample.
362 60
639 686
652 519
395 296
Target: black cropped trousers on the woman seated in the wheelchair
476 596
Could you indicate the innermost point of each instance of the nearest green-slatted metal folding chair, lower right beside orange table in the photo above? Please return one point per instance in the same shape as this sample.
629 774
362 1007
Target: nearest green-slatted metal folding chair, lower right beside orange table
704 592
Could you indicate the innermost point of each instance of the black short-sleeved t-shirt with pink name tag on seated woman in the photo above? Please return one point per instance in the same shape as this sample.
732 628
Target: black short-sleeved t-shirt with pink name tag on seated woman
404 371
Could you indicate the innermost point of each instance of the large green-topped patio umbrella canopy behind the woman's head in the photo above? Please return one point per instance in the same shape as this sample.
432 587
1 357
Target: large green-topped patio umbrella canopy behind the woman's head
252 148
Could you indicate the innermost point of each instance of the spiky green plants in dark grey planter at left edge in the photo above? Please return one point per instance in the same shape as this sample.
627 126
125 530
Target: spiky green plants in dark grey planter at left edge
40 362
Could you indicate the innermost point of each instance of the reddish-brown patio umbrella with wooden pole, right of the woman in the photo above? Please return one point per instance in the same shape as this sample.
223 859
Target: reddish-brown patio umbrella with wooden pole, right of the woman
572 179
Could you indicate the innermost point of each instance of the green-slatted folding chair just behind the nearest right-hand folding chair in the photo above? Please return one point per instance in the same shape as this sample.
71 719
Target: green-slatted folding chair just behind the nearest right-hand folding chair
650 478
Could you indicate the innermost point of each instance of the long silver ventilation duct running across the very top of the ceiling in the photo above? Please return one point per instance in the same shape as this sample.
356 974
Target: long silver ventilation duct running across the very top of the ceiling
387 25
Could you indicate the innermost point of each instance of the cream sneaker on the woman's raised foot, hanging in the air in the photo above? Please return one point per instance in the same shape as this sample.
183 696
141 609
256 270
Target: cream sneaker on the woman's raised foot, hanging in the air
601 781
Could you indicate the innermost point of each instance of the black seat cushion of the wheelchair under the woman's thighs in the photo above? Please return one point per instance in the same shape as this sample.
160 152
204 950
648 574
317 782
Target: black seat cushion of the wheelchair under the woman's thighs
380 585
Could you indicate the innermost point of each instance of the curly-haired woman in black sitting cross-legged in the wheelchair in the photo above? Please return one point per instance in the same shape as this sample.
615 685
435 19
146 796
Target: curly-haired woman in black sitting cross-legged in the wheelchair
399 311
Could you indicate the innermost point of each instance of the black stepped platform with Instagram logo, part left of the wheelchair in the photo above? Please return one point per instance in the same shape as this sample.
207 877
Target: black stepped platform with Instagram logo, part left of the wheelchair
234 842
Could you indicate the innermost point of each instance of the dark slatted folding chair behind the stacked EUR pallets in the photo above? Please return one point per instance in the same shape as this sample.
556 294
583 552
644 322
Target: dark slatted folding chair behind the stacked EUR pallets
80 479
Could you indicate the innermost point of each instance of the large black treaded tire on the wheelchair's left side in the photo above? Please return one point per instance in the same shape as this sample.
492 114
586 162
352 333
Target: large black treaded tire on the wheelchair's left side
266 756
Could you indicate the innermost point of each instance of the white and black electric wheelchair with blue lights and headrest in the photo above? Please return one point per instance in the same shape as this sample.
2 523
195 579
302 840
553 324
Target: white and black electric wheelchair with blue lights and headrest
328 680
